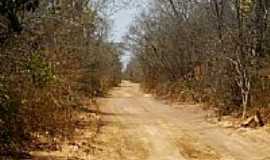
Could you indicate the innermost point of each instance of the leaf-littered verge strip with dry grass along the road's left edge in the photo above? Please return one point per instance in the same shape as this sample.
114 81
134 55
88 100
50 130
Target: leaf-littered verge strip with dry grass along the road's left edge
80 146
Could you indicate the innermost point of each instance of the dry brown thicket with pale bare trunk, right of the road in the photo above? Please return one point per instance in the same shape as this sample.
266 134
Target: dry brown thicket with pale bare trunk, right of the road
213 51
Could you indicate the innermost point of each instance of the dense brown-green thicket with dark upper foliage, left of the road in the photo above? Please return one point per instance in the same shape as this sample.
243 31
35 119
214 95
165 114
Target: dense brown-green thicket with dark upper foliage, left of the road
53 54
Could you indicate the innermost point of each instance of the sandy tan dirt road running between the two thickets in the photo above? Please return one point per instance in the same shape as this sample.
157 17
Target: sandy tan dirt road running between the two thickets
153 130
